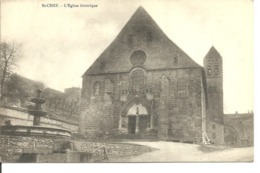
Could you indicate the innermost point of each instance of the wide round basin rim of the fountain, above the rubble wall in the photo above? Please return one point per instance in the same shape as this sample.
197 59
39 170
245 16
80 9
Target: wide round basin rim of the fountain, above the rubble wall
18 130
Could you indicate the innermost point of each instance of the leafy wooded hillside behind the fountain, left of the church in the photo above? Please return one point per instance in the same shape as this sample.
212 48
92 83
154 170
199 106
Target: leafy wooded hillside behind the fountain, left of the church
58 104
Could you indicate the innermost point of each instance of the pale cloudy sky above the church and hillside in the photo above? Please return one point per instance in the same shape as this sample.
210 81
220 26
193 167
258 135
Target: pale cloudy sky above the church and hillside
59 44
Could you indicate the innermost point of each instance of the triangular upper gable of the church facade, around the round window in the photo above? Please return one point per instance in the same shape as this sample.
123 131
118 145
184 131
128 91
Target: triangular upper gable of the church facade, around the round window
140 33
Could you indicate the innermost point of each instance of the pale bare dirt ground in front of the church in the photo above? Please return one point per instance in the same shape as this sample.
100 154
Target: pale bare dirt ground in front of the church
180 152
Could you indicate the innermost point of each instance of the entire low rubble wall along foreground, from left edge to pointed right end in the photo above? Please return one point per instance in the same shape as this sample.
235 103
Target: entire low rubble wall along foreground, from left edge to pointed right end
12 147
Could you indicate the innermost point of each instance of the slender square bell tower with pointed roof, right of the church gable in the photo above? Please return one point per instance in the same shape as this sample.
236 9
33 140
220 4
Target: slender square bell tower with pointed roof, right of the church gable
214 76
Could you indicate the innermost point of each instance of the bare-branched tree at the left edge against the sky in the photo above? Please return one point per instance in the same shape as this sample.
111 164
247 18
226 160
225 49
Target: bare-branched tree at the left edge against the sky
9 55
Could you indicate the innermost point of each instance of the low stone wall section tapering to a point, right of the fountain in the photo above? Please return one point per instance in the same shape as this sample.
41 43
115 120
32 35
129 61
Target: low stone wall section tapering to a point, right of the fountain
113 150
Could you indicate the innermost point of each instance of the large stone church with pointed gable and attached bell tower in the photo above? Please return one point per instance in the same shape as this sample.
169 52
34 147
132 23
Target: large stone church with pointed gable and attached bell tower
144 84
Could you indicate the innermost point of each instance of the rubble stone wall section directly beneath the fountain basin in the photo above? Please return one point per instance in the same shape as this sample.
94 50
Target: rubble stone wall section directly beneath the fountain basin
11 147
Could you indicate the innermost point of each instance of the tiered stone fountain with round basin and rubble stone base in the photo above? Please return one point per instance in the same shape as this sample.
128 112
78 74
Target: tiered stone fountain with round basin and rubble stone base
40 143
